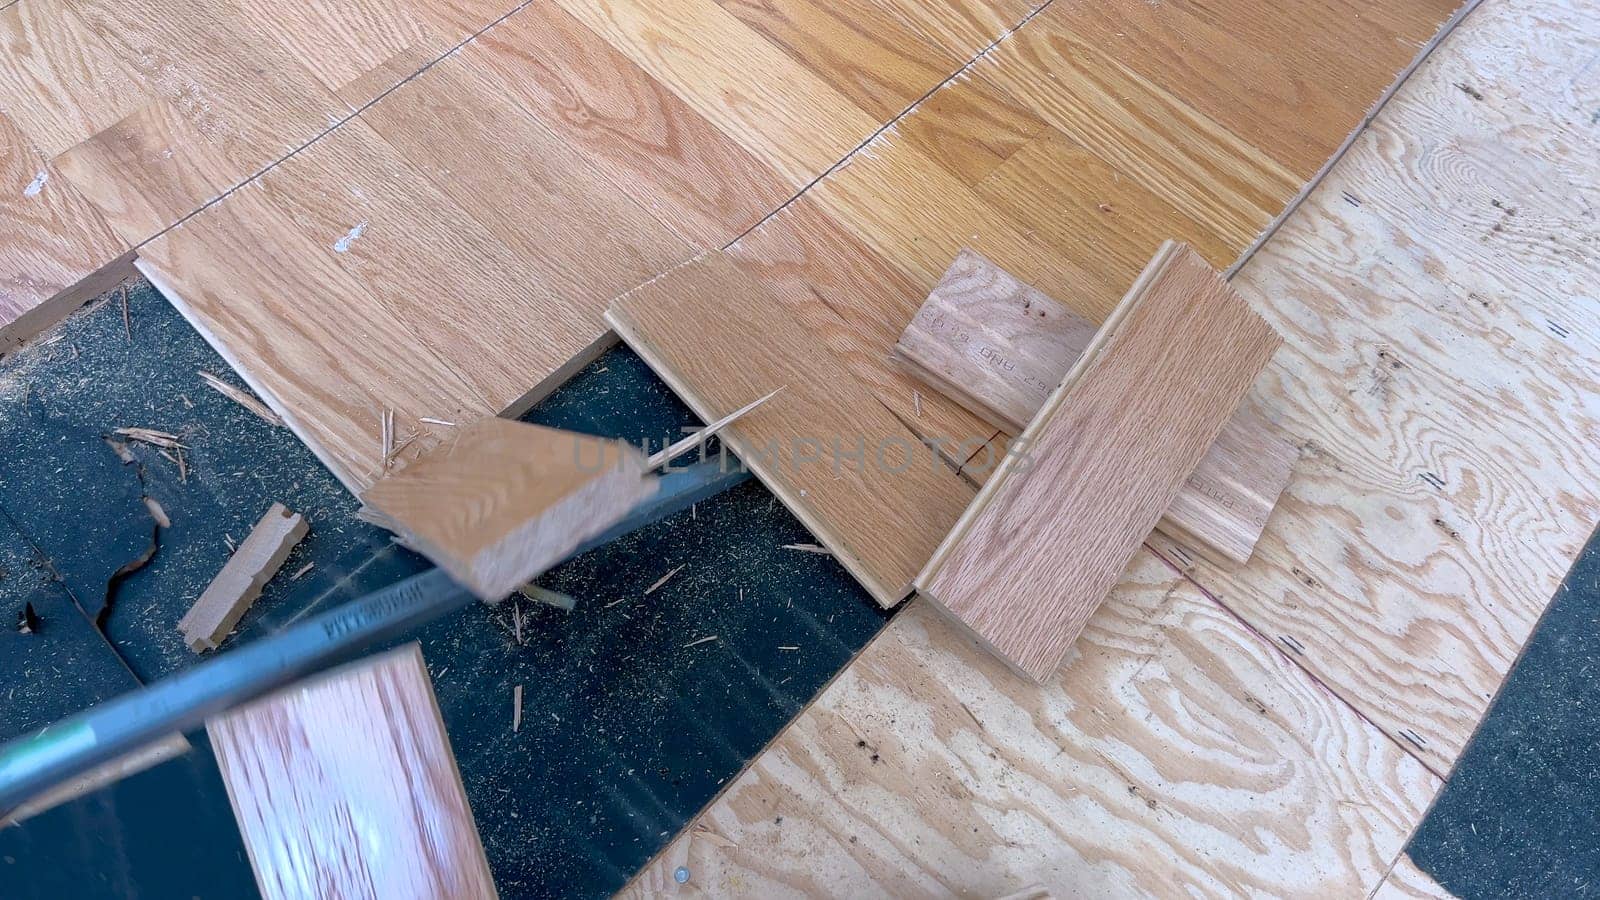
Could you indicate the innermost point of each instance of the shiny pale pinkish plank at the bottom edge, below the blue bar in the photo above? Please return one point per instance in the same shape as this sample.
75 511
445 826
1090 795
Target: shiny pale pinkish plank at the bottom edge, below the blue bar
345 785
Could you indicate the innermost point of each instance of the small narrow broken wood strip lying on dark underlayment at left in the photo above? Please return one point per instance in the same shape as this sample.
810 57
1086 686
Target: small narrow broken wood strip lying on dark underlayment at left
239 584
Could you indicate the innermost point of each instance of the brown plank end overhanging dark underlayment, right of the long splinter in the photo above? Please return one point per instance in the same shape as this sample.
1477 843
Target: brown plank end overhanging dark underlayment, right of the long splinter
874 496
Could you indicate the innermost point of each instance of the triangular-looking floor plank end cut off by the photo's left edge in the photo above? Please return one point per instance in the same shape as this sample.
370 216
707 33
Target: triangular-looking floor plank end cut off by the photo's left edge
58 251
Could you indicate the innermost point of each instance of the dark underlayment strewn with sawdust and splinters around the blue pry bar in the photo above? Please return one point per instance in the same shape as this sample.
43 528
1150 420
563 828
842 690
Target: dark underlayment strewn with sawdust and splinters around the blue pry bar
636 709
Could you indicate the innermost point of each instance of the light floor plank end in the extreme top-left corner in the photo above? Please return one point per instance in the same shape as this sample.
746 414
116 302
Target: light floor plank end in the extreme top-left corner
58 82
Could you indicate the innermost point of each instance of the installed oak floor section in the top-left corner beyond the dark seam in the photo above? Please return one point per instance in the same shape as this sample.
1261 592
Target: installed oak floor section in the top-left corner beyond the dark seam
150 110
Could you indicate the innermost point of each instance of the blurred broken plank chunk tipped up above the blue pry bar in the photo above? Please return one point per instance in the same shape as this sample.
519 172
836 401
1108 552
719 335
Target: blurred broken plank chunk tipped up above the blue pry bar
498 502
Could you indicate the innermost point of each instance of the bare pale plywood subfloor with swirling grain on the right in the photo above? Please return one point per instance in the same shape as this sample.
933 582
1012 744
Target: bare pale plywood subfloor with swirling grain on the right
1436 295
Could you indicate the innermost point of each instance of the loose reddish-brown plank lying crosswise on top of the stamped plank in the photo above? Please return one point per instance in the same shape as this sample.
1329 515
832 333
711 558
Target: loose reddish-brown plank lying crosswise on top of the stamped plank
1055 526
